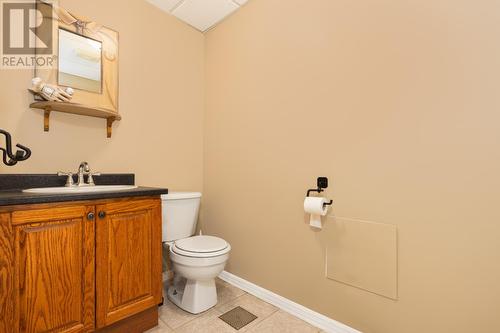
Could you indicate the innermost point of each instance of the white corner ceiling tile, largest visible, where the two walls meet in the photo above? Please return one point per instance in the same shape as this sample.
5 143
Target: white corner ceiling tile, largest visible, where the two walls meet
203 14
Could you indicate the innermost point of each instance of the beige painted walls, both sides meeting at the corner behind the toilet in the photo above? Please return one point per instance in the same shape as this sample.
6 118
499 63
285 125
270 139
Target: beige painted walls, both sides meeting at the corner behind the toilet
395 101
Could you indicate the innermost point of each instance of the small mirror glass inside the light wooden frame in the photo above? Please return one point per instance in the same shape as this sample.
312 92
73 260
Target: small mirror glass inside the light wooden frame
80 62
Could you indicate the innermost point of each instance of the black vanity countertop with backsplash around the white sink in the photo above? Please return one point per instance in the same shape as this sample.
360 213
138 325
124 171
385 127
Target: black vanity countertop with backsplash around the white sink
11 187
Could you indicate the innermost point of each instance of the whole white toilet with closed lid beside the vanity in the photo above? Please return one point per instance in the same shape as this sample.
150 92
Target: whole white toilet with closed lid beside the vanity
196 260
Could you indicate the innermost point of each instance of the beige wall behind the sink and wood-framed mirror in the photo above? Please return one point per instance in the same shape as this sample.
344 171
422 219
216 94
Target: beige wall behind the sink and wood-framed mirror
160 137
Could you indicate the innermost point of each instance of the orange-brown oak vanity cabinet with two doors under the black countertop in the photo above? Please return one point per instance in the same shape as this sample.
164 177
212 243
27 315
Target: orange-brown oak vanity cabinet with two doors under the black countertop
80 267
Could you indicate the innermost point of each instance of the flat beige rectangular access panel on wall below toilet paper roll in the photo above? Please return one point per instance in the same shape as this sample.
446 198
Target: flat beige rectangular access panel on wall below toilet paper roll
363 254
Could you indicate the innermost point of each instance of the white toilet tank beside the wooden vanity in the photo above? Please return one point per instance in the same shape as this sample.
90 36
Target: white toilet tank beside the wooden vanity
180 215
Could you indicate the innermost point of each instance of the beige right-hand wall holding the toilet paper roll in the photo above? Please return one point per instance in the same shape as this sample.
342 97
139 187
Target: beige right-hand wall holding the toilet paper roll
397 102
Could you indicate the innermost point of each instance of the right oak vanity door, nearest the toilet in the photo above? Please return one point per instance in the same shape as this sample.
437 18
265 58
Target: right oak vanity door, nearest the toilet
128 252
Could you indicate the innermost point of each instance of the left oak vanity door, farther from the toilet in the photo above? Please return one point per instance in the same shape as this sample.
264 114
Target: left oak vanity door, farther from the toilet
54 269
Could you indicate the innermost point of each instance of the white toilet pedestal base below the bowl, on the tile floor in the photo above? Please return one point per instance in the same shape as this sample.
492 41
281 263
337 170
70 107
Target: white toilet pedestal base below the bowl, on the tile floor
193 296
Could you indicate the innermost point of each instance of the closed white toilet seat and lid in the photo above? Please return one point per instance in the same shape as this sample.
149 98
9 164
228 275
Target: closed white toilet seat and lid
201 247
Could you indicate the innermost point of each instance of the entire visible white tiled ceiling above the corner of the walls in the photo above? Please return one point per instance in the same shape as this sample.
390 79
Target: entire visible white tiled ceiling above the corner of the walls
201 14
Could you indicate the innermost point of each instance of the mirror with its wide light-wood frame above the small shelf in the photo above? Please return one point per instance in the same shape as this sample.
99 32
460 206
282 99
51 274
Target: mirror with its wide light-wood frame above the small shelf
87 59
